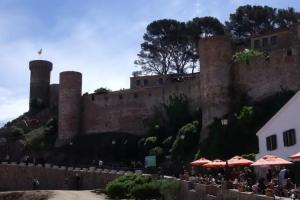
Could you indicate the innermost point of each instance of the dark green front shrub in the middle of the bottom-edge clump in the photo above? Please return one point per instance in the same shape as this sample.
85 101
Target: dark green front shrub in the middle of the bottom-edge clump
146 191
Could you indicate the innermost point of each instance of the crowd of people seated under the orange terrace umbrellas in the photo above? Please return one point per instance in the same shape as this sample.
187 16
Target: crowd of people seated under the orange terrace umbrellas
276 183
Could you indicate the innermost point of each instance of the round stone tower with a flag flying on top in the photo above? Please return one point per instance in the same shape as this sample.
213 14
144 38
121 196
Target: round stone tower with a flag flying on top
39 82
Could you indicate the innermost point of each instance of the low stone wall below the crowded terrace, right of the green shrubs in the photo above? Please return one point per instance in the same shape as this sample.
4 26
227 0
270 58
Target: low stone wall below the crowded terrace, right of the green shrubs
189 191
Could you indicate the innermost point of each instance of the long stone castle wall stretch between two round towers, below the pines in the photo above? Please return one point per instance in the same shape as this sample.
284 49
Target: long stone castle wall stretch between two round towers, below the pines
128 110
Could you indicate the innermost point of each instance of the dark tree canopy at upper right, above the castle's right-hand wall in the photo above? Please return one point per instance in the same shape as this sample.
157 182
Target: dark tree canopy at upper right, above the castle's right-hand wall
248 20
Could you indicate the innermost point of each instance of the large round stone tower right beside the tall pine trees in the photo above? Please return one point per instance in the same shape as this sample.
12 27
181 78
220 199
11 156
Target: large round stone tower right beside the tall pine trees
215 79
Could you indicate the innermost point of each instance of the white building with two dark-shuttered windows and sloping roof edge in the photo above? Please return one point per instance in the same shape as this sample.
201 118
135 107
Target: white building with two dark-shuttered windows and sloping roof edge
281 134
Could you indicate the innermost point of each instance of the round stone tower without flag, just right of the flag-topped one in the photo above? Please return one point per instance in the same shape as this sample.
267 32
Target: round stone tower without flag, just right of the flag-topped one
69 106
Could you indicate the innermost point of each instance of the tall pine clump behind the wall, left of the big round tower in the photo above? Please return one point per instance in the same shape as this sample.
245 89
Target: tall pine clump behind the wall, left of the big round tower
171 47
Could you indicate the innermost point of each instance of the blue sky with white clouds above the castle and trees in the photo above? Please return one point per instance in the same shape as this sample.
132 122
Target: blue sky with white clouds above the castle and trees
99 38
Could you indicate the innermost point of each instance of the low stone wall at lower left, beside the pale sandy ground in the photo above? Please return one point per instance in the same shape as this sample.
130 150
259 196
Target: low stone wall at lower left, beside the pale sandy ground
20 177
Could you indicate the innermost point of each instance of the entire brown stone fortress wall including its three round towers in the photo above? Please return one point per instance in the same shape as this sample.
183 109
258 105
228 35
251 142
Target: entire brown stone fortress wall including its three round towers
212 90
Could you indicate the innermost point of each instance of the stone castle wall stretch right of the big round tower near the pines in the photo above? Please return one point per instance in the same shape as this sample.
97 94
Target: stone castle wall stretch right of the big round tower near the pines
264 77
